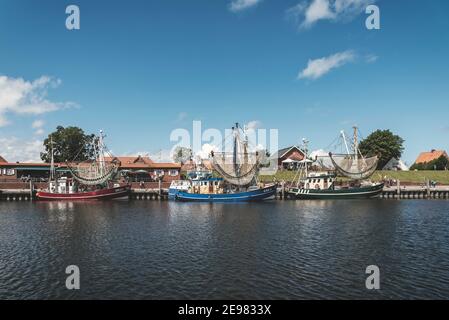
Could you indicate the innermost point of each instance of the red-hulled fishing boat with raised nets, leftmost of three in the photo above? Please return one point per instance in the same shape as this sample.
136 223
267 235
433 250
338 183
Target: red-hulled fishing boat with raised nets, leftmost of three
90 180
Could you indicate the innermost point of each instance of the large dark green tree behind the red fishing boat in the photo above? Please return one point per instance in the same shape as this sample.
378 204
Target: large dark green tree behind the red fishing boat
69 144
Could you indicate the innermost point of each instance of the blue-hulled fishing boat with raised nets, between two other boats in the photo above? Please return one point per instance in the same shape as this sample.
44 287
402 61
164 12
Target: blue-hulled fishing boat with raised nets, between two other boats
236 181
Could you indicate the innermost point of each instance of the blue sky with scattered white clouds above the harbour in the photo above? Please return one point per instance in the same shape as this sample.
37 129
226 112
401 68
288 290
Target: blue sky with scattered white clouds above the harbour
139 69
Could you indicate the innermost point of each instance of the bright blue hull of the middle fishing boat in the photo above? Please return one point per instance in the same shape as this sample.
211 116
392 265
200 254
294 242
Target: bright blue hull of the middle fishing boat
249 196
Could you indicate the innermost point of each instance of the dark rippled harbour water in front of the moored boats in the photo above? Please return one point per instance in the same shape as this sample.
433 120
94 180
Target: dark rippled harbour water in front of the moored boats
274 250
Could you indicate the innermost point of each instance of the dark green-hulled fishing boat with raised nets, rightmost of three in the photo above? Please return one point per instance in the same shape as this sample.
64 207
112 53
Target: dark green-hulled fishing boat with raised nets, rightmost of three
322 184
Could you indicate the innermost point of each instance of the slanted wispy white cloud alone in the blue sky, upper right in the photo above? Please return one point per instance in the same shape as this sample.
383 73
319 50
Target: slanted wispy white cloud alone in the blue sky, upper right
319 67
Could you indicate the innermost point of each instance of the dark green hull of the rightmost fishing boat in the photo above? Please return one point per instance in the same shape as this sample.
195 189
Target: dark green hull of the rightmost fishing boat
353 193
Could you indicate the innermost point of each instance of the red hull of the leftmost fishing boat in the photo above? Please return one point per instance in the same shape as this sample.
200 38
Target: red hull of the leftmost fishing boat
103 194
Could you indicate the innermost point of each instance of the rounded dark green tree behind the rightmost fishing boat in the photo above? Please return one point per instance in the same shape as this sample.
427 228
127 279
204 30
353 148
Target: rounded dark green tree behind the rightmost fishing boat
382 143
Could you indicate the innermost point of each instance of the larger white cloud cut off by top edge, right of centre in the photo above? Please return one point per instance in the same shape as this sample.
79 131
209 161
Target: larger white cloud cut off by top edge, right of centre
309 12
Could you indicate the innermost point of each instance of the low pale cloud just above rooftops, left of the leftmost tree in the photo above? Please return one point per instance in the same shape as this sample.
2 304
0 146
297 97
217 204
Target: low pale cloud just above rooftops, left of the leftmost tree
22 150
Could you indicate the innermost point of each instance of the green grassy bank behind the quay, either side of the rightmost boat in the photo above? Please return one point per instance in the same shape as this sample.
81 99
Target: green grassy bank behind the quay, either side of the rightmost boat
417 177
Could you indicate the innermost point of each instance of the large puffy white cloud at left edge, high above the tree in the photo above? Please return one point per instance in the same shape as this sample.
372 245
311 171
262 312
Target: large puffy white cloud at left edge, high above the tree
27 97
